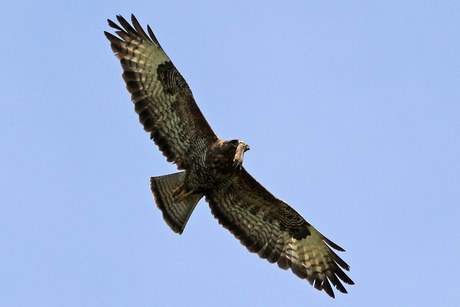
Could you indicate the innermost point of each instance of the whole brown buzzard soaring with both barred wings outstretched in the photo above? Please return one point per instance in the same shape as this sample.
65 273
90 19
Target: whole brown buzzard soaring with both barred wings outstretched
213 168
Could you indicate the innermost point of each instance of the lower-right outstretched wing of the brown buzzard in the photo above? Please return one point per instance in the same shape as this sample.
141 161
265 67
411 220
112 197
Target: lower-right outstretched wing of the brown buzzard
271 228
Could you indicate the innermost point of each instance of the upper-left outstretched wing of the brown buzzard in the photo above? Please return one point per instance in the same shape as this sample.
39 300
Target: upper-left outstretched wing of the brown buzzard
161 96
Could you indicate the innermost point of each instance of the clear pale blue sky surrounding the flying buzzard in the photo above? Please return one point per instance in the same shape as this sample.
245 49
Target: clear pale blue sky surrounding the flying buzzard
352 112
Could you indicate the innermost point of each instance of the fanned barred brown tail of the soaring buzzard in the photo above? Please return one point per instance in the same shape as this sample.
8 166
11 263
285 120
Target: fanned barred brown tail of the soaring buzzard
175 214
